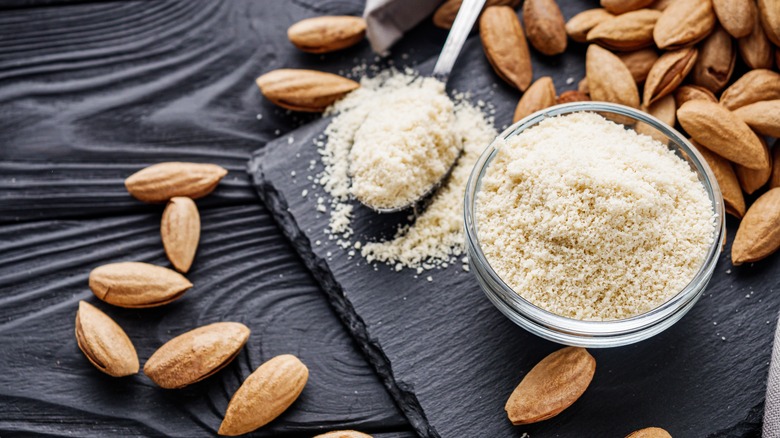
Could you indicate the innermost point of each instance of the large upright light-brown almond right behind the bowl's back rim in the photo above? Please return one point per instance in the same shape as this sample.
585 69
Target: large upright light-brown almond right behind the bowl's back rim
609 80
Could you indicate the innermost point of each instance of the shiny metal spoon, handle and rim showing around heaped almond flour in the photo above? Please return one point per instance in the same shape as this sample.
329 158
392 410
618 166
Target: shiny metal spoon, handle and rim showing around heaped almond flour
467 15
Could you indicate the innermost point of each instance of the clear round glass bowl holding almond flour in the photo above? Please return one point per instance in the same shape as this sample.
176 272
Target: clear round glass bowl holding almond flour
594 334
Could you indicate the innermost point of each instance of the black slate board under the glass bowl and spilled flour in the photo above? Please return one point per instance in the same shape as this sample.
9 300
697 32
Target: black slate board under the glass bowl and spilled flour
451 360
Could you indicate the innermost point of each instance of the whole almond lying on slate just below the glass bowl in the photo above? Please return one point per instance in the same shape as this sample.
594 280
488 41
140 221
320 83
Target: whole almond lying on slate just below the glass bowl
551 386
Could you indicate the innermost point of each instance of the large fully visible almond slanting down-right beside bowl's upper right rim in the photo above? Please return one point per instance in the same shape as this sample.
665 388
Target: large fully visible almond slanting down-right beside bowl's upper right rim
722 132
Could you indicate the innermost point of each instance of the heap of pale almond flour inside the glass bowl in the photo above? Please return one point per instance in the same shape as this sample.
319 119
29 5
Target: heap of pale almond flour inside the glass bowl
591 221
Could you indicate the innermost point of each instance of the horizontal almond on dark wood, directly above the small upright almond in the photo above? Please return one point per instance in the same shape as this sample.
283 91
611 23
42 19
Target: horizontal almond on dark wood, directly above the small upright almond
163 181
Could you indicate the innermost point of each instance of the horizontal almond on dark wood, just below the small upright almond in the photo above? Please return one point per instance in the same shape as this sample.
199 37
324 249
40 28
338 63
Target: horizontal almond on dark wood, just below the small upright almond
137 285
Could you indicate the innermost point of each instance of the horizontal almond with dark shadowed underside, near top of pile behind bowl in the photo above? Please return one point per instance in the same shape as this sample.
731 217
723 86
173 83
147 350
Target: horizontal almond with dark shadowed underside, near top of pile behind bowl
630 31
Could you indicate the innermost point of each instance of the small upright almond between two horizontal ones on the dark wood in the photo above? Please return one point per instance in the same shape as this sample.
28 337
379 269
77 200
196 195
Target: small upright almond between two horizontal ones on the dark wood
180 232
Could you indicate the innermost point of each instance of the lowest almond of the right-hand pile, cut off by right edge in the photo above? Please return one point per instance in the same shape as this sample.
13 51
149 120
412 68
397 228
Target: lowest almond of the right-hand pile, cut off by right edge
758 235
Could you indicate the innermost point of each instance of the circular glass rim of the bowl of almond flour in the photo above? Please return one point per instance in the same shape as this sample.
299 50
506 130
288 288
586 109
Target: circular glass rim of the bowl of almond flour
610 327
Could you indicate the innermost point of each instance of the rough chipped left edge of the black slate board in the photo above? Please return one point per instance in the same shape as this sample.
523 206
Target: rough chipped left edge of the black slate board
277 205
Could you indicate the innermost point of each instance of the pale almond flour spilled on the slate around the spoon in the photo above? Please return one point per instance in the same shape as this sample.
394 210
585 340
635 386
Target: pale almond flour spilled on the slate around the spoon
435 239
